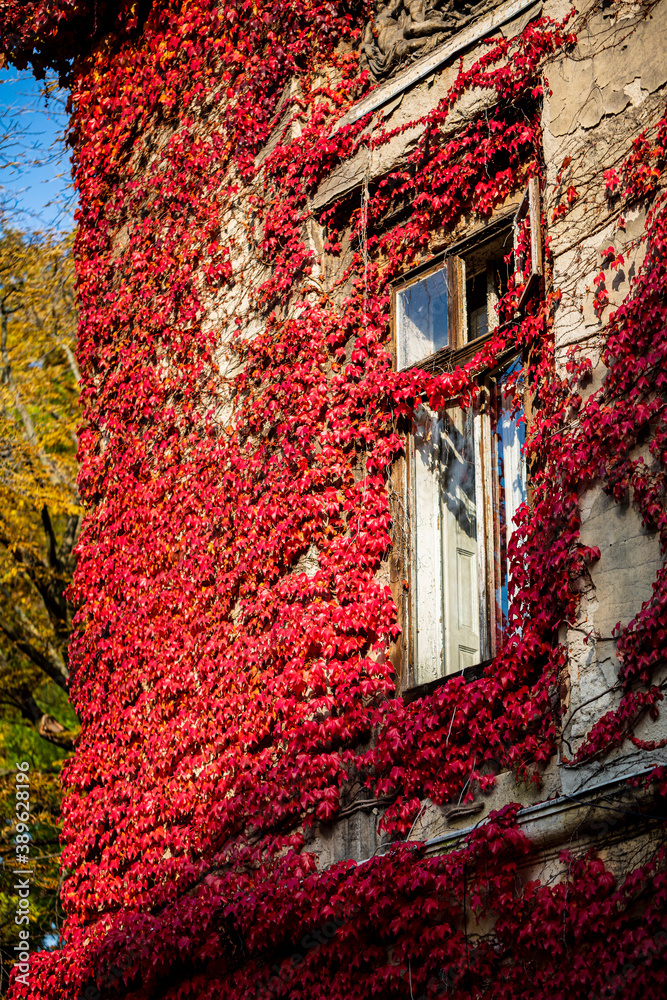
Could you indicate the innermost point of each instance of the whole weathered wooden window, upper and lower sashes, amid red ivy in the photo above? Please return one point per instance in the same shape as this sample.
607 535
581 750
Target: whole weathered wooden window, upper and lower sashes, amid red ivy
466 467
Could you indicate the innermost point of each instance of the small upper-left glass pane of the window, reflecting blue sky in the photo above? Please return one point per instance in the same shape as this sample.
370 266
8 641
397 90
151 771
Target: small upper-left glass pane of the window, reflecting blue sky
421 316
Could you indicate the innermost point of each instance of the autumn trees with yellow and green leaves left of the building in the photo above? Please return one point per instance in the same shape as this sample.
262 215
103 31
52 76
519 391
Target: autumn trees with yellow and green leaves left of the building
39 520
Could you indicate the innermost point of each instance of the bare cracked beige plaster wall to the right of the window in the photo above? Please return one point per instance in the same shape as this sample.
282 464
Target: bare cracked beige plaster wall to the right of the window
603 94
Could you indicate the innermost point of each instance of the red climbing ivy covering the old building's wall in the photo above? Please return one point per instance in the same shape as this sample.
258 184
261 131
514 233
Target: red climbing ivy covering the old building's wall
241 418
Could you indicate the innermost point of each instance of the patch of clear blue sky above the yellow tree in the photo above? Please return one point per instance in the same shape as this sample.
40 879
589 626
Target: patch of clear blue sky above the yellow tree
35 188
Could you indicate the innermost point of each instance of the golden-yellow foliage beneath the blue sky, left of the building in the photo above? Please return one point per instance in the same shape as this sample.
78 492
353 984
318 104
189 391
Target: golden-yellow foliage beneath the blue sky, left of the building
39 510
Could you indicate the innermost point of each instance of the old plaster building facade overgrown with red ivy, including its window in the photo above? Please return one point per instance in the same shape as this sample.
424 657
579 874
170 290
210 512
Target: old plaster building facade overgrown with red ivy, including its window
370 649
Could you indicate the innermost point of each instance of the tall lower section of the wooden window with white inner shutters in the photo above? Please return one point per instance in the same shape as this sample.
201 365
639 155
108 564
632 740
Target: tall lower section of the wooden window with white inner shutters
467 481
